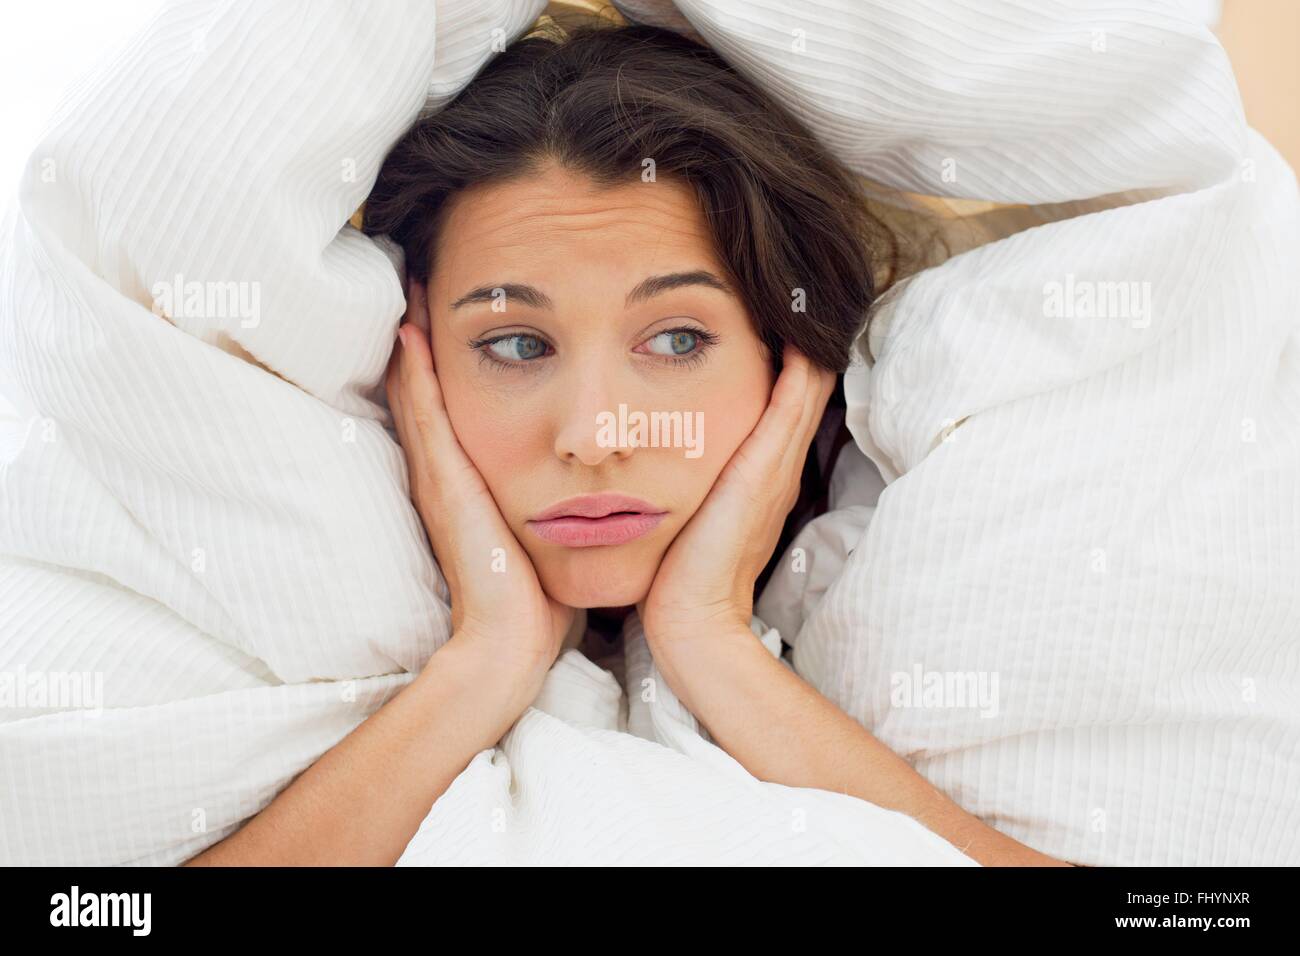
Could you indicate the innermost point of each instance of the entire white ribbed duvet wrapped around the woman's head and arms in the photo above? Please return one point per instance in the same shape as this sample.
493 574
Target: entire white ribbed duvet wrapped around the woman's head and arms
206 517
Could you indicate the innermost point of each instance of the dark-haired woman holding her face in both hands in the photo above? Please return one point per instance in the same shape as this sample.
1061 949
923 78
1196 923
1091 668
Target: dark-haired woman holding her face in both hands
614 219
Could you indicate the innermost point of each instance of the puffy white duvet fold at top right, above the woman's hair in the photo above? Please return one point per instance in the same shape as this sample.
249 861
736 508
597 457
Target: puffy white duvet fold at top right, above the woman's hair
1008 101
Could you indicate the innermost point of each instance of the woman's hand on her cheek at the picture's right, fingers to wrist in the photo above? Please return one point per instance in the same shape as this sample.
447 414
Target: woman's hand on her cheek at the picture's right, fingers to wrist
707 578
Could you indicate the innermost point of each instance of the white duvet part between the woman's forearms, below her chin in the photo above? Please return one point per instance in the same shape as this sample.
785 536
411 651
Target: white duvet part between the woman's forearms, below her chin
592 776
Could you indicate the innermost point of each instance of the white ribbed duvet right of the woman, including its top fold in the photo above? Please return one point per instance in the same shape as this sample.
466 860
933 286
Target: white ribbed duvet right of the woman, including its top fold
1100 513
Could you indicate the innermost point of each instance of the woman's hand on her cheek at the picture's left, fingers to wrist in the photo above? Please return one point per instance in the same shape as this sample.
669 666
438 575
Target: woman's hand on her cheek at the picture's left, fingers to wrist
505 612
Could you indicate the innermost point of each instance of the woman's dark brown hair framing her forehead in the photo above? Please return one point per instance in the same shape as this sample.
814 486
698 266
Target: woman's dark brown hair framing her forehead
603 101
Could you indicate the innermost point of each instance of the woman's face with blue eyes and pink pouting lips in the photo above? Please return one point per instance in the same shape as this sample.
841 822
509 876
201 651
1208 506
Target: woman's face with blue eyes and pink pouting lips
534 374
